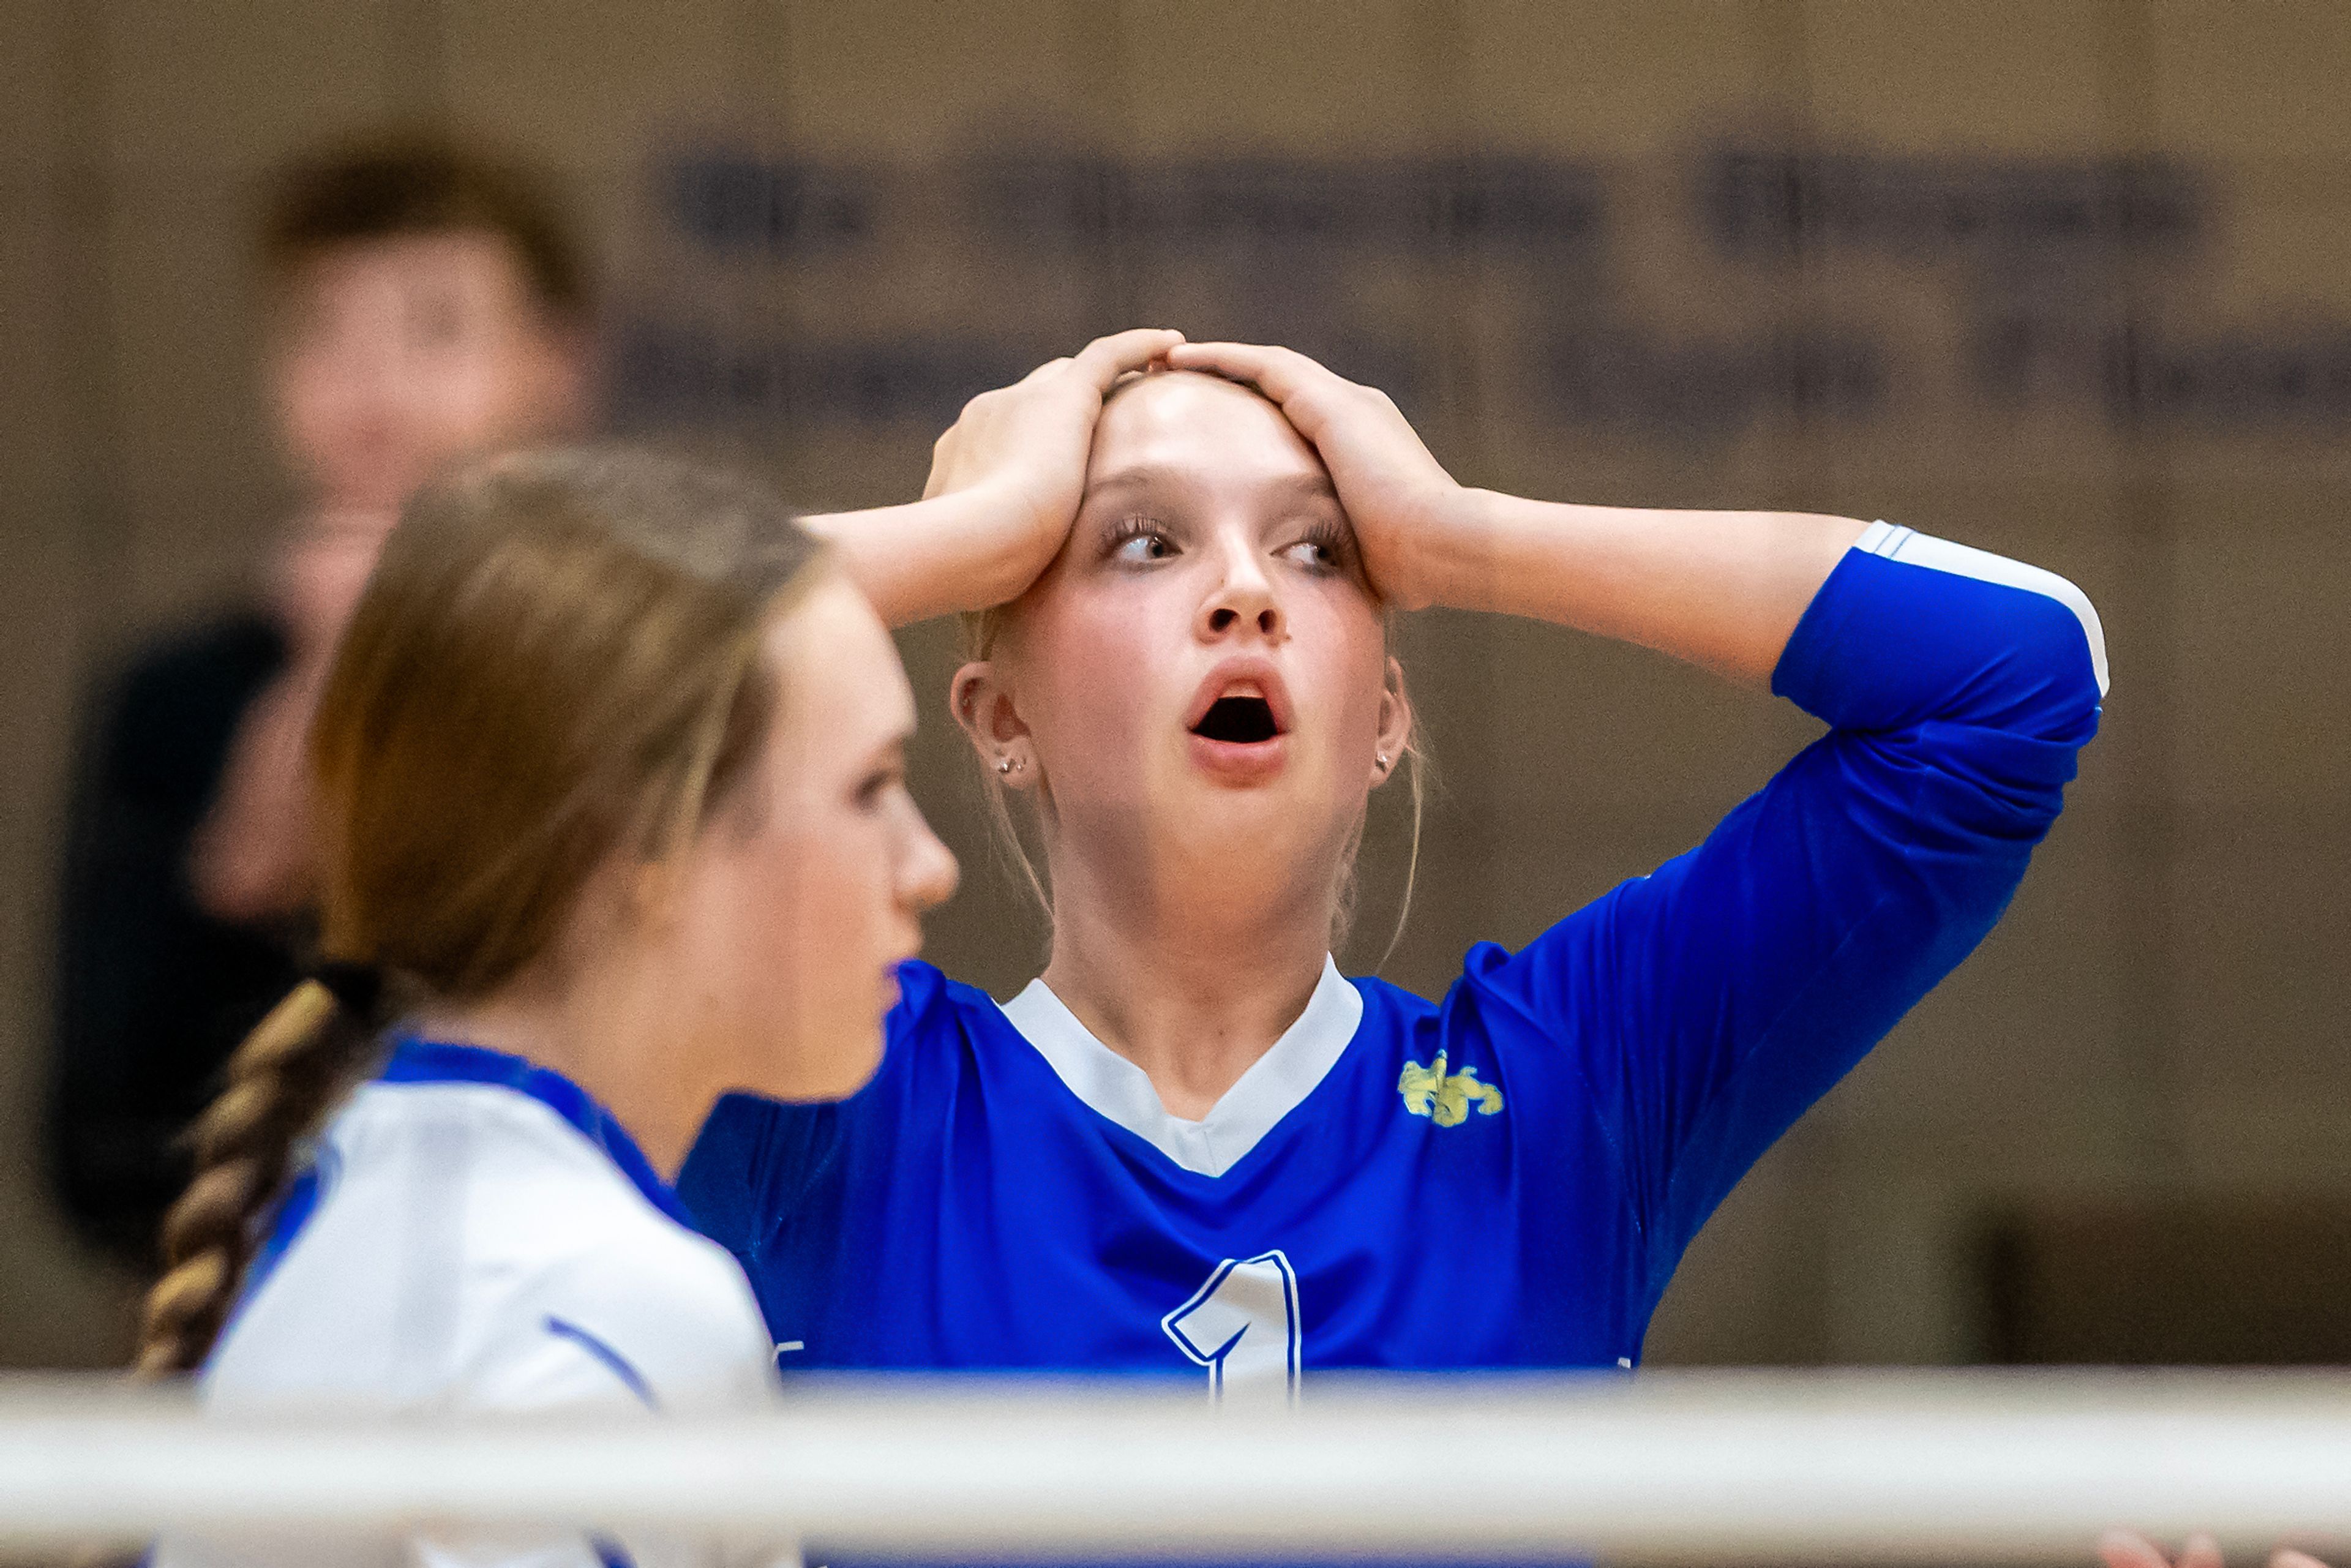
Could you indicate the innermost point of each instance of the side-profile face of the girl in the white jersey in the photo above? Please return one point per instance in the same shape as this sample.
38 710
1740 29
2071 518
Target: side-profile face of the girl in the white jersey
808 887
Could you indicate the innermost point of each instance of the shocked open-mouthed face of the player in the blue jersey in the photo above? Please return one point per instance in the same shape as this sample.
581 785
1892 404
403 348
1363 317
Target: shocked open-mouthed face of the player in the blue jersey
1200 681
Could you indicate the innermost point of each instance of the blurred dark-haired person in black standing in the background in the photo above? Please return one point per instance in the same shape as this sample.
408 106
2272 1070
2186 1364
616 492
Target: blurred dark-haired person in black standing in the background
424 304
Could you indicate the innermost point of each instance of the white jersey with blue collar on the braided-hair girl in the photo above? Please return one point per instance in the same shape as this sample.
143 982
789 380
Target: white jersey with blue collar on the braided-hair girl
478 1235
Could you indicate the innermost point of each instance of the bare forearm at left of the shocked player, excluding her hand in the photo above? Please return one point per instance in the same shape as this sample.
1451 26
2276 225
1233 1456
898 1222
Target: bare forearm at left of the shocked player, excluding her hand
927 558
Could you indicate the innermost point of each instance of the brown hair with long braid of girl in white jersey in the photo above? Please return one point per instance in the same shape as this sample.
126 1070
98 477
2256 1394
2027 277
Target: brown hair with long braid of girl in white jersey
556 662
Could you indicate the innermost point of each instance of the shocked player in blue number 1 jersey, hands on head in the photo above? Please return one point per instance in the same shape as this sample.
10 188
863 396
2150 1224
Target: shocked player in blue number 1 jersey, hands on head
1193 1146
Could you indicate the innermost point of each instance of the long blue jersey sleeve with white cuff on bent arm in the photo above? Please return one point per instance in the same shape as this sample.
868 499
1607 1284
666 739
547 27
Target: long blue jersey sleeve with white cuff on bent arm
1710 1003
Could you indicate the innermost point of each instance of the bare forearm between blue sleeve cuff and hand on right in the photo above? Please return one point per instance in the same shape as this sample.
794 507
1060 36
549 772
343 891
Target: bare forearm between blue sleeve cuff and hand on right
1722 591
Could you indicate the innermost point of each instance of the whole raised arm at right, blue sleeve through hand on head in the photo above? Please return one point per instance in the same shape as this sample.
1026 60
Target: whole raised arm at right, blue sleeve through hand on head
1701 1010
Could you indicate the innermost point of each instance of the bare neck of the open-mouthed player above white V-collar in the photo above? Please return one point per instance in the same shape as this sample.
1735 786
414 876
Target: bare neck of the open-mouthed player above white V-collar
1186 991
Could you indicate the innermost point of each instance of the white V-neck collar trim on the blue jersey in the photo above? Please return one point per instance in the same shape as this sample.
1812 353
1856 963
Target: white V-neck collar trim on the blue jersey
1266 1094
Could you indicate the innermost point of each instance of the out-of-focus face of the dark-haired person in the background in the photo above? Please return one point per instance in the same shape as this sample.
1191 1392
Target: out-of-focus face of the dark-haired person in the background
401 356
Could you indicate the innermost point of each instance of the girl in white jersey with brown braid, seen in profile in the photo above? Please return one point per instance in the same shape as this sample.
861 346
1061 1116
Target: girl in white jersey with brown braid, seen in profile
612 803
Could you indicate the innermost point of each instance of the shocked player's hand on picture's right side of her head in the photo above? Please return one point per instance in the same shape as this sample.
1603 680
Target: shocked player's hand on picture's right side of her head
1398 497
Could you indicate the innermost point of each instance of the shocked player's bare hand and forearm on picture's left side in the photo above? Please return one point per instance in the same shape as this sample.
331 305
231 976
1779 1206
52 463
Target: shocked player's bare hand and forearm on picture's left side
1005 485
